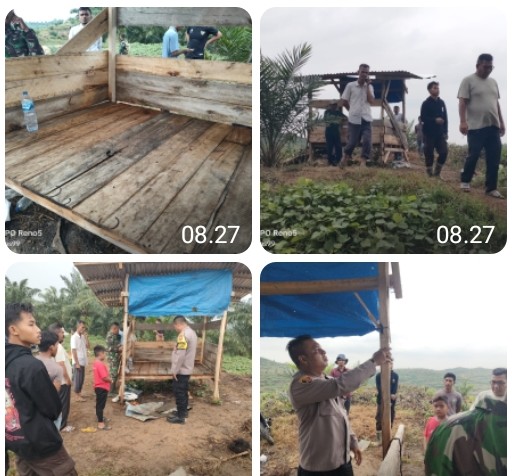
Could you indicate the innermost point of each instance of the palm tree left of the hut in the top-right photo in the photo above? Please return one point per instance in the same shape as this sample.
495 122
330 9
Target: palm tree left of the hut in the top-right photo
283 101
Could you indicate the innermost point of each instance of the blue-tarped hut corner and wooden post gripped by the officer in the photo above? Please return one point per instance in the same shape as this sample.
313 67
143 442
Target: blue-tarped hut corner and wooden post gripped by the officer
332 300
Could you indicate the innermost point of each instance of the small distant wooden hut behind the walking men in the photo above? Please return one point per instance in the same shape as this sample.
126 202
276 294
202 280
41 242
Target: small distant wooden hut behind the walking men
387 134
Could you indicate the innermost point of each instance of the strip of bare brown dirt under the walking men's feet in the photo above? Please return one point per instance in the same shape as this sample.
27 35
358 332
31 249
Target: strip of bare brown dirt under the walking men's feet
319 170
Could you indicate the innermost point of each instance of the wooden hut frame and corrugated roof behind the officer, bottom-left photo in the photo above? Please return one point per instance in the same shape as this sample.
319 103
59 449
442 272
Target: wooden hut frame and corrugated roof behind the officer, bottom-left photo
152 360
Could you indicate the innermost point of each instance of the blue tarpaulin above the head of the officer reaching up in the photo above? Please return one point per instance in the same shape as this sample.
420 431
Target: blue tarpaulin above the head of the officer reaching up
323 314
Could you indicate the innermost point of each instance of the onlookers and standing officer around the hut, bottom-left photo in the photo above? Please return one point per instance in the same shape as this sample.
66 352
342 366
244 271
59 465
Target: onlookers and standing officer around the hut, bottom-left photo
38 388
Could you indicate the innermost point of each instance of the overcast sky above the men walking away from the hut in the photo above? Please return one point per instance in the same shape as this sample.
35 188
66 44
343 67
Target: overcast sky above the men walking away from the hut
444 42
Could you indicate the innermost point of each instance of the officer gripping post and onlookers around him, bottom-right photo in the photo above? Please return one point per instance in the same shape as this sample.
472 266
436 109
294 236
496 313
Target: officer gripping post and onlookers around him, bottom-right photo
326 439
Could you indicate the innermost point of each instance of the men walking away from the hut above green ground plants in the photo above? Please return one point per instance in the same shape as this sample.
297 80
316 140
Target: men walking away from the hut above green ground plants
480 118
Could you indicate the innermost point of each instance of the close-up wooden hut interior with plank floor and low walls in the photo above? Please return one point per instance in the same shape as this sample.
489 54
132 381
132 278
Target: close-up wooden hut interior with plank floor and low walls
134 149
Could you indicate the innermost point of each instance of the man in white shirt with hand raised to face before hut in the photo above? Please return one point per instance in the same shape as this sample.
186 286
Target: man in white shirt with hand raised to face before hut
358 98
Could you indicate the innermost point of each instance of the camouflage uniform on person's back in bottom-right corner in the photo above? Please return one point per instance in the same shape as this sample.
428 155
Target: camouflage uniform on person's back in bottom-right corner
471 443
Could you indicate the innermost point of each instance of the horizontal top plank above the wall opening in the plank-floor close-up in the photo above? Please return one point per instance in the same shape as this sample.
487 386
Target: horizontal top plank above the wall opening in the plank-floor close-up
185 16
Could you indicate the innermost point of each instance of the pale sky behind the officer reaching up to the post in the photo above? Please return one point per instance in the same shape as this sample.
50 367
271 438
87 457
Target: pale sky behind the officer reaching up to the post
449 316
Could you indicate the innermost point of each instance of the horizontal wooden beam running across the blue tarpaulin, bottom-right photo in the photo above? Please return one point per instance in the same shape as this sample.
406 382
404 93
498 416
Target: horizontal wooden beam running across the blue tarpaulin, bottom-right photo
314 287
